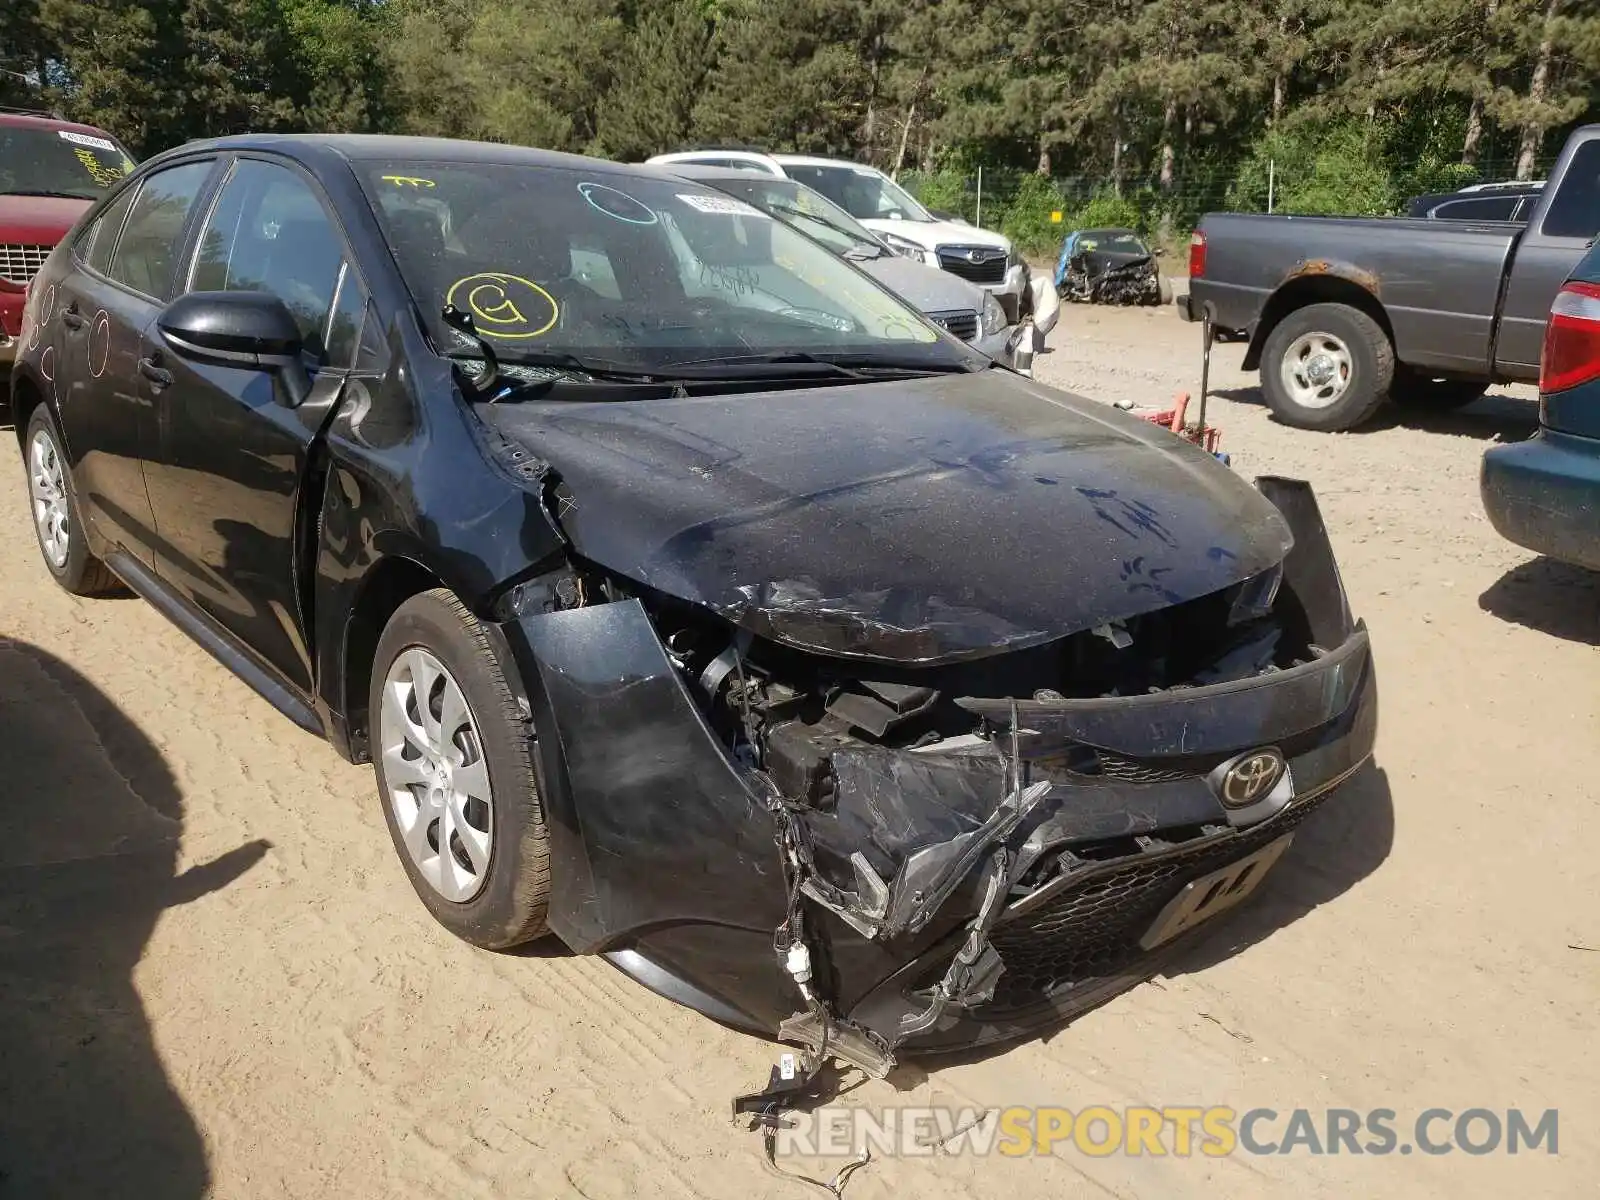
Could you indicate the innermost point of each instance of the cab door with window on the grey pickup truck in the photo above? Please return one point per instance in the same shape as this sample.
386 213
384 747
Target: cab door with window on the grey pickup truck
1546 257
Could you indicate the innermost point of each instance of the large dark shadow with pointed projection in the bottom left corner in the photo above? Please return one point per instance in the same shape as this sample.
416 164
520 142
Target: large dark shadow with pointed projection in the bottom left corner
89 863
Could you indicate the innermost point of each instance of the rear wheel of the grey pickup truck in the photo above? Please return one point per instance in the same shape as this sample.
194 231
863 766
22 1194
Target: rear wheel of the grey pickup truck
1327 367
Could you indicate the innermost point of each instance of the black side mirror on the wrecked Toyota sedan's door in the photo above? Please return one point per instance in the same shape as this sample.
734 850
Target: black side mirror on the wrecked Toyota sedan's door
252 330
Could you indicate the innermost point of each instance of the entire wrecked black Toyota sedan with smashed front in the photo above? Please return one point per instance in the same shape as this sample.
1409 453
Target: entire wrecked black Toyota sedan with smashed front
695 601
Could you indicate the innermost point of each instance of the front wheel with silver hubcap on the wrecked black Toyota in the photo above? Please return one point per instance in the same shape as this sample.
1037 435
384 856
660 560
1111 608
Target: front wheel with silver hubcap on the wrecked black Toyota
454 758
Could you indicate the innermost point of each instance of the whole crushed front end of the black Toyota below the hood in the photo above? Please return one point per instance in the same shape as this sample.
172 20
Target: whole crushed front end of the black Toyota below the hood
881 858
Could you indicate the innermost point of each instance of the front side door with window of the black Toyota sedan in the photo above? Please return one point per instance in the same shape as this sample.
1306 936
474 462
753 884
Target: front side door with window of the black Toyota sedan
230 486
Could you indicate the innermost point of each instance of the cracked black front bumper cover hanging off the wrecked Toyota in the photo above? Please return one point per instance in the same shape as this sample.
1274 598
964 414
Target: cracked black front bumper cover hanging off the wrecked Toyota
666 852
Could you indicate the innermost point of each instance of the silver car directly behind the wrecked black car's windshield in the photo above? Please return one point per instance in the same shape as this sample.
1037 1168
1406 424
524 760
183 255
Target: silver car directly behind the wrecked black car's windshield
964 310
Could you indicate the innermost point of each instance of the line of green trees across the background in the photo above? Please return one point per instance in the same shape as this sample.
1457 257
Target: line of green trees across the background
1351 103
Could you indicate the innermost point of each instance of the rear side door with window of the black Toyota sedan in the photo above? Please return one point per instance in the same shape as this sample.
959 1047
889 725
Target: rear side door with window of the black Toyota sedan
119 279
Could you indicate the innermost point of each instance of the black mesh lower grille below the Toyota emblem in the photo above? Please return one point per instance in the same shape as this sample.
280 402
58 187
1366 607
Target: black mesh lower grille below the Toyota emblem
1092 930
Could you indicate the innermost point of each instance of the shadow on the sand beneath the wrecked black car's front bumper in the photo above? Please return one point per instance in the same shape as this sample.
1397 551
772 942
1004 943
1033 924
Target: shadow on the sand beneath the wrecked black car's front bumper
1335 849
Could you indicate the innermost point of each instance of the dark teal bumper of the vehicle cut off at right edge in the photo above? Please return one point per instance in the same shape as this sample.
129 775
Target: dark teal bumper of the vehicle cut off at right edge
1545 495
